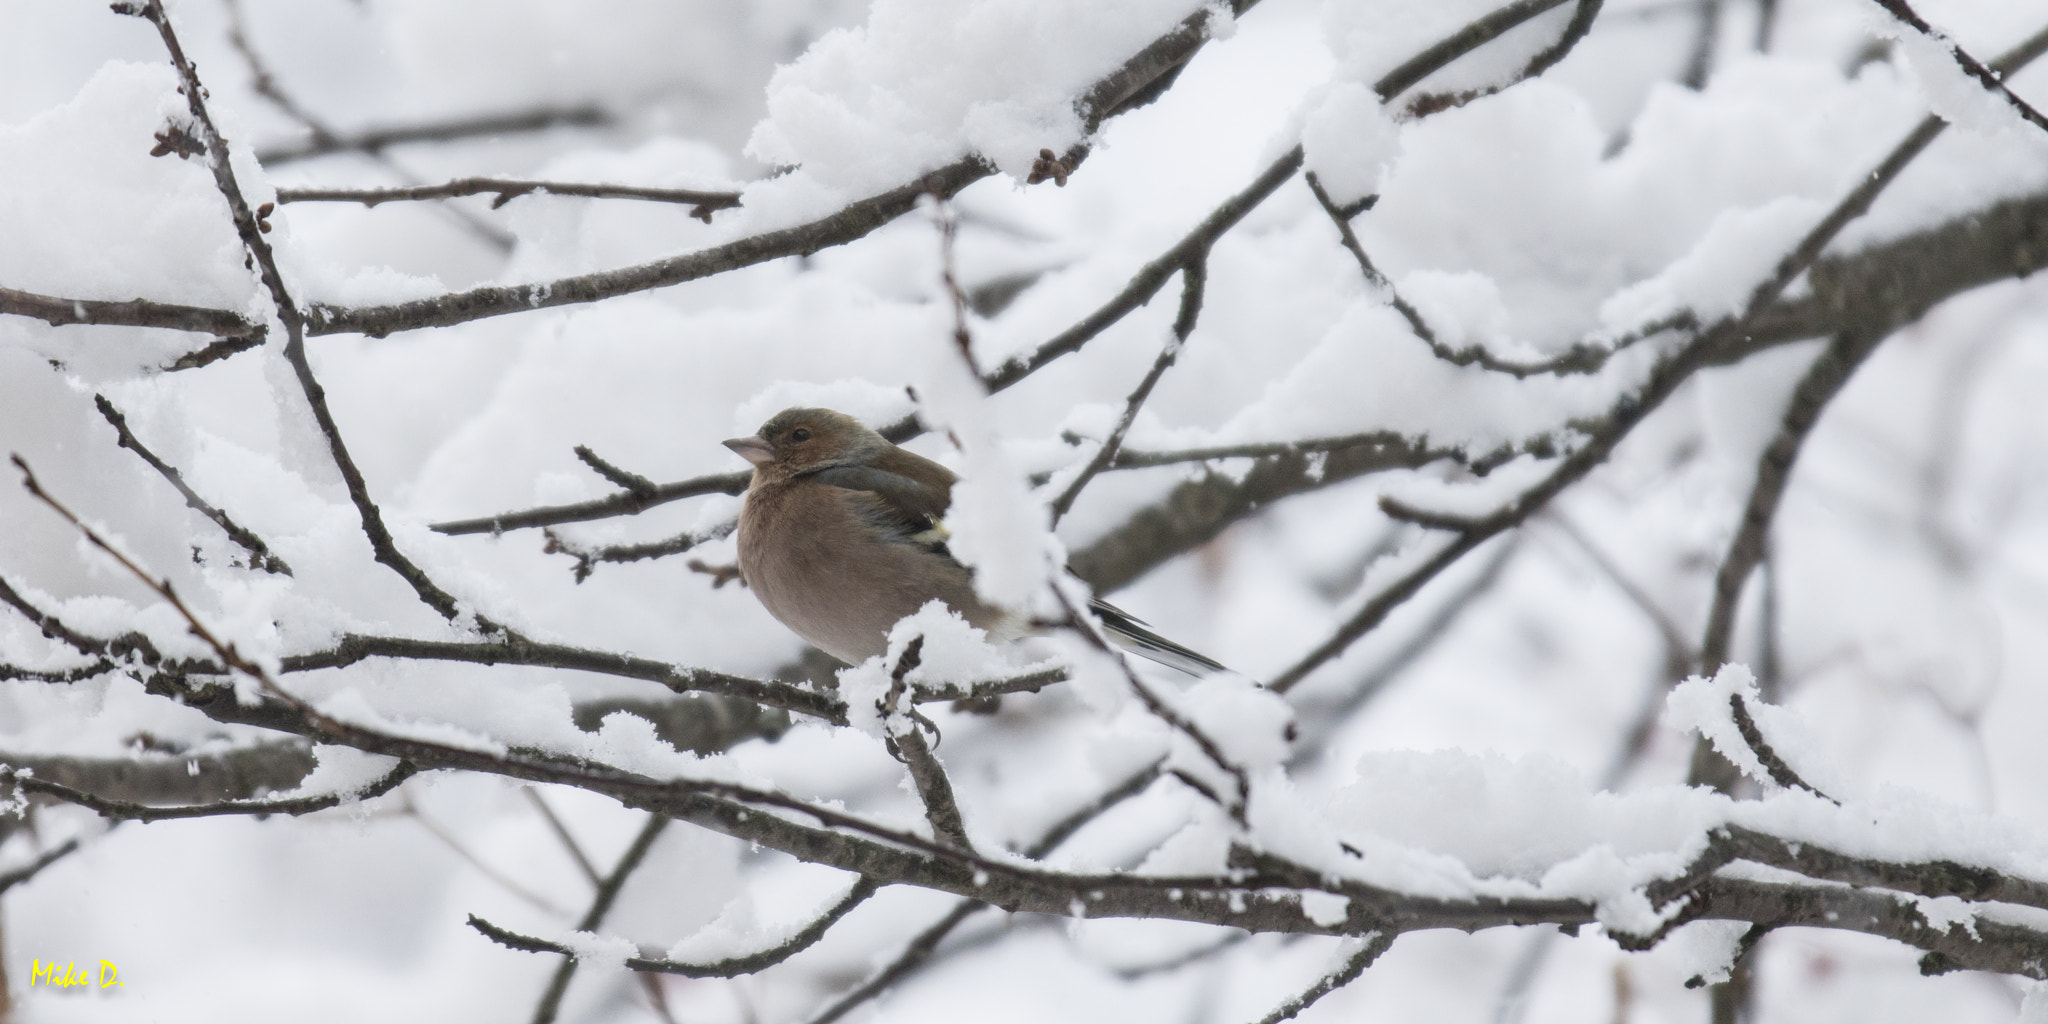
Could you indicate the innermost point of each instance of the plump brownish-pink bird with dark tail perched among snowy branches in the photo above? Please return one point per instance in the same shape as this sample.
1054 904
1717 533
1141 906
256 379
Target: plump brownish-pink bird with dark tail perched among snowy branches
843 534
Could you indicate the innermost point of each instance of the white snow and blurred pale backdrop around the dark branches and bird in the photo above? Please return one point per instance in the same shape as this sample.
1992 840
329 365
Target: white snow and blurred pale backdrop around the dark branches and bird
1908 587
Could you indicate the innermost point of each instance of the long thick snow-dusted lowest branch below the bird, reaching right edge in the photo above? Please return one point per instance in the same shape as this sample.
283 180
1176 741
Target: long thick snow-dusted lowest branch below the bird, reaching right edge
1261 894
